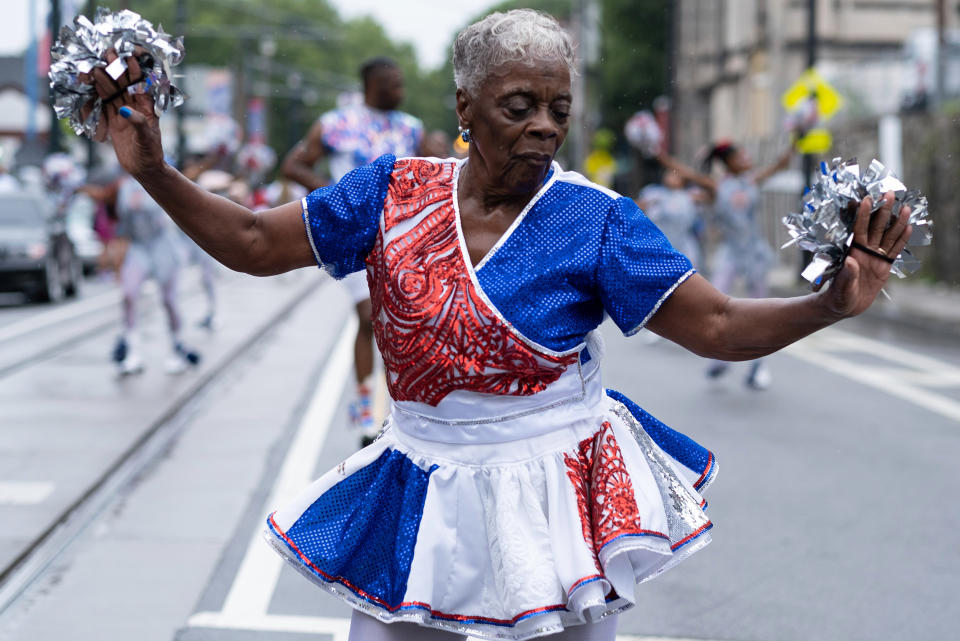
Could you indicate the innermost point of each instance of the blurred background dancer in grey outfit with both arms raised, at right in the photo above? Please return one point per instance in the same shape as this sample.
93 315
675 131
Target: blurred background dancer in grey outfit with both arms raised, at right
743 250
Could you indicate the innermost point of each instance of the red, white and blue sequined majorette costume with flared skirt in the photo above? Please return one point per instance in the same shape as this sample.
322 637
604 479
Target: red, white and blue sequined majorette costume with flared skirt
510 495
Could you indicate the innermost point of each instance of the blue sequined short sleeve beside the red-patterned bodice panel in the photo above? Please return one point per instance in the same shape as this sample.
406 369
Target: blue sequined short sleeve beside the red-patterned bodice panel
342 219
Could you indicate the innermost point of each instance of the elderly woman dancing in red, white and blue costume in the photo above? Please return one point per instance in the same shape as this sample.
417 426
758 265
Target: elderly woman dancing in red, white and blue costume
510 495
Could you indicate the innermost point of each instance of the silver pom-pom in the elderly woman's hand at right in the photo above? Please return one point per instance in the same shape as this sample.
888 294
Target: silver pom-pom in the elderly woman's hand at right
825 226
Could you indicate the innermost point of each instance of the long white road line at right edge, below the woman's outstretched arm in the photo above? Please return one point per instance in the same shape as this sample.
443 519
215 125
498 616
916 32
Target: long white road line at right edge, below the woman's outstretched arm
881 378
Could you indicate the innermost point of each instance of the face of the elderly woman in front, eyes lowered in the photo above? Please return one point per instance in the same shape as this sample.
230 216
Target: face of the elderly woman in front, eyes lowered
517 122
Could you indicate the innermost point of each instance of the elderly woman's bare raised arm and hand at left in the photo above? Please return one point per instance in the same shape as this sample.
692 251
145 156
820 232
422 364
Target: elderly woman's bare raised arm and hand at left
265 243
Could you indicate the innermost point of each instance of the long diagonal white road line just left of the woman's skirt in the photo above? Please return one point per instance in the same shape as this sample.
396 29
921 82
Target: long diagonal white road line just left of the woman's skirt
253 586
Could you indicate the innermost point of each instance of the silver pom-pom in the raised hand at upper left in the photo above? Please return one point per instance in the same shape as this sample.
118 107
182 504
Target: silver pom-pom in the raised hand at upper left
83 47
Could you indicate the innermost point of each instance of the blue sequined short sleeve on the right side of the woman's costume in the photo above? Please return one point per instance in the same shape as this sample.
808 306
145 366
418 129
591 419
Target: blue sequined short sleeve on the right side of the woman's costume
638 267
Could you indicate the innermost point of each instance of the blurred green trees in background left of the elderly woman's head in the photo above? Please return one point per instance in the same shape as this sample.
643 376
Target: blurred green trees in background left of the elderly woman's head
316 55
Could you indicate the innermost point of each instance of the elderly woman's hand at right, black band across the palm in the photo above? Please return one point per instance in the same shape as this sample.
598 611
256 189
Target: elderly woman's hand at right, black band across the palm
864 273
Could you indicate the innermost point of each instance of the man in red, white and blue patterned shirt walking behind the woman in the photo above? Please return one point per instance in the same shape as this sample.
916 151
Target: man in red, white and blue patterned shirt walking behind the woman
348 138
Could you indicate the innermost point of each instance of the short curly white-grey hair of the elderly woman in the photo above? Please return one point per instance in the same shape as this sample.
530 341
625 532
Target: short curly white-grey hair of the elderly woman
521 35
